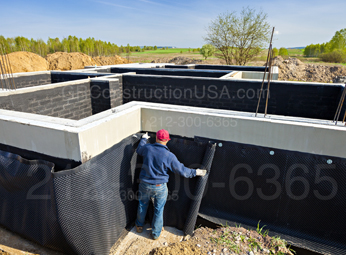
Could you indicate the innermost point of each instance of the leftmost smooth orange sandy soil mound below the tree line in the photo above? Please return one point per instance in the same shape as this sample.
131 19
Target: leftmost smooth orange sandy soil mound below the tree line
22 61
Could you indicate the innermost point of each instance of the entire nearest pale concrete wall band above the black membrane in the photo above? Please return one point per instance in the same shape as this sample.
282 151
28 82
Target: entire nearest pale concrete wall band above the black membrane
80 140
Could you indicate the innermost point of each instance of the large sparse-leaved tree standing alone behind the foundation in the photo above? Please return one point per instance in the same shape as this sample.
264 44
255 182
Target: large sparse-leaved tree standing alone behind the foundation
239 37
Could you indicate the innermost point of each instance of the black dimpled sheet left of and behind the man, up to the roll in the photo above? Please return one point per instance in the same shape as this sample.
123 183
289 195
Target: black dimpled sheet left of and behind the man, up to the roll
85 209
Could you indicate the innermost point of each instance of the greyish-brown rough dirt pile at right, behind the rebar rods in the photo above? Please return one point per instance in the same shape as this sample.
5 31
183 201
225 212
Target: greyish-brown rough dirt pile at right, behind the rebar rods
292 69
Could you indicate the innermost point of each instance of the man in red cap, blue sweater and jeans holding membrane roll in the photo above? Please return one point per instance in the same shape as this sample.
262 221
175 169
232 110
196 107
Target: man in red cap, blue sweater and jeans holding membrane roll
158 160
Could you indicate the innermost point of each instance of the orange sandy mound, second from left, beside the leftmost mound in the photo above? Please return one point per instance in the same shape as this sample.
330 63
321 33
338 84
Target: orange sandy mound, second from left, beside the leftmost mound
69 61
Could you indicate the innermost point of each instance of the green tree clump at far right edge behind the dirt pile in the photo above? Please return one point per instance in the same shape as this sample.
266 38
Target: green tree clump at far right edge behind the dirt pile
332 51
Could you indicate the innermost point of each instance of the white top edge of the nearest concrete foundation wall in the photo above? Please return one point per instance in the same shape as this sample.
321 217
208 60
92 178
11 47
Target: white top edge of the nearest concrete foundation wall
59 123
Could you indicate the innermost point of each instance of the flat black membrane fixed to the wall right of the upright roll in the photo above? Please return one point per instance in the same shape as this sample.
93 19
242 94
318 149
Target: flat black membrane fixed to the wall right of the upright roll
300 196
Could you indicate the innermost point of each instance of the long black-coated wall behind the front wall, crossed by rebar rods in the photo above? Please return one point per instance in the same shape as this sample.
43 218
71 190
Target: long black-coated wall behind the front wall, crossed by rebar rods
309 100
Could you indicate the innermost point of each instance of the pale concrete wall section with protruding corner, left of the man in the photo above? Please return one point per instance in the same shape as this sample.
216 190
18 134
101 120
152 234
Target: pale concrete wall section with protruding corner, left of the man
76 140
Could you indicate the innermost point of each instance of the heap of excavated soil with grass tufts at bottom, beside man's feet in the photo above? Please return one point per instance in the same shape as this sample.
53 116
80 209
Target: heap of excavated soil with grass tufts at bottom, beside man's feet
226 241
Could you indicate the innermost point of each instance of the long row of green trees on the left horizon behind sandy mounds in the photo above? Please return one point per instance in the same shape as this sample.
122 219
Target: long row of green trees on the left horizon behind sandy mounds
89 46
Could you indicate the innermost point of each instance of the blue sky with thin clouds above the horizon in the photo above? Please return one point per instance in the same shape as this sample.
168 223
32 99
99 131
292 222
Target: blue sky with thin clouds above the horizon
166 23
